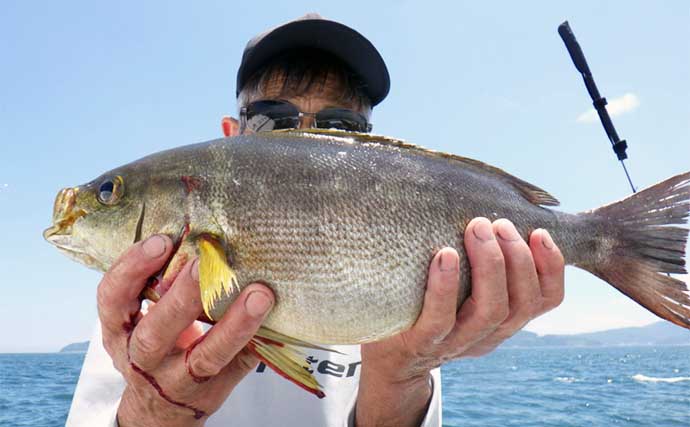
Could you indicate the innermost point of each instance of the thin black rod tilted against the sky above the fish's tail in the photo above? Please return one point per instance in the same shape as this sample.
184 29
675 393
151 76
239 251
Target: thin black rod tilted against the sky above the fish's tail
619 145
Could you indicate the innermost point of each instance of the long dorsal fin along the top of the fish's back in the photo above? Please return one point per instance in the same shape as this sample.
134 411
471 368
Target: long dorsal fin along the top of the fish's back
531 193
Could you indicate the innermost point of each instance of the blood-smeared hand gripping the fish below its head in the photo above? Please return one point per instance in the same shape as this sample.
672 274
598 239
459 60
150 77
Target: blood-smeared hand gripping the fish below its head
174 377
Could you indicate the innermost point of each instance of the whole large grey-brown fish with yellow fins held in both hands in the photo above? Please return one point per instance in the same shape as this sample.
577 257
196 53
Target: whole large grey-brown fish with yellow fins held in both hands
342 227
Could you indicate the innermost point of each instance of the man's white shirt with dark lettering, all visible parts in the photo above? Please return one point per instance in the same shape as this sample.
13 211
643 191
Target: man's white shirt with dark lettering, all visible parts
263 398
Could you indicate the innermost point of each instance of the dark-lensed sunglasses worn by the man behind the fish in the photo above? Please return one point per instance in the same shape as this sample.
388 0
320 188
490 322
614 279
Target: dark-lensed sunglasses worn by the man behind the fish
263 116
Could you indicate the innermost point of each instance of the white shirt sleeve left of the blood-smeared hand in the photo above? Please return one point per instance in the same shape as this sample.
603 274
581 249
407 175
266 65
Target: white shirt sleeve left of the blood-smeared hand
99 389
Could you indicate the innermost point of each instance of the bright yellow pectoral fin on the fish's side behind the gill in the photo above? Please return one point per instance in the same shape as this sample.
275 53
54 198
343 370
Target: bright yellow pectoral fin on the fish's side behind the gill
215 275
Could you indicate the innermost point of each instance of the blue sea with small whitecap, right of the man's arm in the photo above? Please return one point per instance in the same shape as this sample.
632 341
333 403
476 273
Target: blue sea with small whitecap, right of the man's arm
564 387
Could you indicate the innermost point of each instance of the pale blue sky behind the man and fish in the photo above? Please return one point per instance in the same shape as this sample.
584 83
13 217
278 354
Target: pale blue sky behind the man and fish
87 86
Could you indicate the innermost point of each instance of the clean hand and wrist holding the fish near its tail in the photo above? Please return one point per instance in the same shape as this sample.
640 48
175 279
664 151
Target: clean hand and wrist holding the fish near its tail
512 283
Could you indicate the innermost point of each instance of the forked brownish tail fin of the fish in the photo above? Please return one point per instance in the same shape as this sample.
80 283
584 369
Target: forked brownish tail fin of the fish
647 245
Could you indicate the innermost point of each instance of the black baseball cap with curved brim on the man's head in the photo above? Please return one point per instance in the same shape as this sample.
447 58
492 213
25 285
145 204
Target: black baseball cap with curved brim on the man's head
314 32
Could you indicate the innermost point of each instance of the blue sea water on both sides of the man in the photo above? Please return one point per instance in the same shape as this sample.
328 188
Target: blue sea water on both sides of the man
624 386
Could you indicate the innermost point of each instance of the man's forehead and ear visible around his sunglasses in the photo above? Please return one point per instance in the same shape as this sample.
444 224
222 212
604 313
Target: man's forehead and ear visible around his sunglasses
314 99
